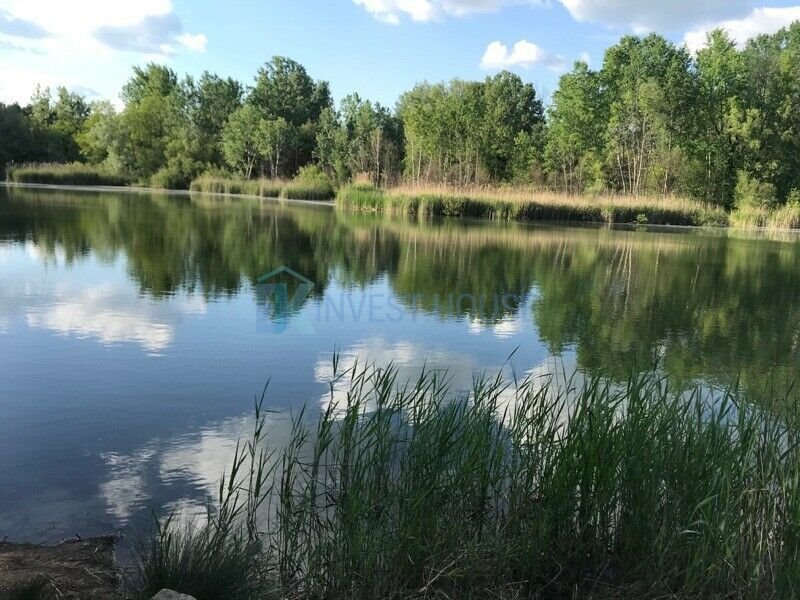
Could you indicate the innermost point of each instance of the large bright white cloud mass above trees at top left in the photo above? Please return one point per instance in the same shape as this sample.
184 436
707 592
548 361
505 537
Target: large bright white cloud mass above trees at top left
89 43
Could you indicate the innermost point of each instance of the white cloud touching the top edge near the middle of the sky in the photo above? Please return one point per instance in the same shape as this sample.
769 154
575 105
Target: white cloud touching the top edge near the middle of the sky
391 11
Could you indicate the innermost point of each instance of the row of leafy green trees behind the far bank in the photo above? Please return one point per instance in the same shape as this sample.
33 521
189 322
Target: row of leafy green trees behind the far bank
719 125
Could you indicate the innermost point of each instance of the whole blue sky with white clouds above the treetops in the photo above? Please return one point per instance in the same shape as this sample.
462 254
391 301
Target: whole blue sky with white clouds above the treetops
378 48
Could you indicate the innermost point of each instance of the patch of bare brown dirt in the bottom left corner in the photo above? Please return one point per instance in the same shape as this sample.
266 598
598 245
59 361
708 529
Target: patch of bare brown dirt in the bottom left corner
77 569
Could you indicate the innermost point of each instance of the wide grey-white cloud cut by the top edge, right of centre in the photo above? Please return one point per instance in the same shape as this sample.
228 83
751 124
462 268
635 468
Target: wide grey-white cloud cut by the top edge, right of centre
648 15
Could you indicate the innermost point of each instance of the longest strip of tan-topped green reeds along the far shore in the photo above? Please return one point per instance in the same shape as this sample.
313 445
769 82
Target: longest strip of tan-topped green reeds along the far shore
510 203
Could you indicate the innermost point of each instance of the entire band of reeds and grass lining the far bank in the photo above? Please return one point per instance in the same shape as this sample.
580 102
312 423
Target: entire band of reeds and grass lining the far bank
504 203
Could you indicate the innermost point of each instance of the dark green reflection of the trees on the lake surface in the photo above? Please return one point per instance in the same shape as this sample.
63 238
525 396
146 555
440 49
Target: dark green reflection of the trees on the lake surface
707 306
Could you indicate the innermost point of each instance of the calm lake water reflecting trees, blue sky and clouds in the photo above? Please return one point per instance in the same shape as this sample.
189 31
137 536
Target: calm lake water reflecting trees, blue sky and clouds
136 329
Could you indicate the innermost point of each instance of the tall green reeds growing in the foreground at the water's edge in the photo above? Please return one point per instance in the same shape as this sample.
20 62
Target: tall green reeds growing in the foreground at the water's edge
582 489
